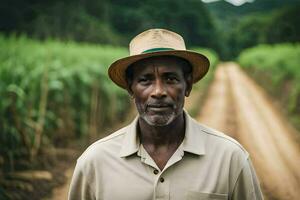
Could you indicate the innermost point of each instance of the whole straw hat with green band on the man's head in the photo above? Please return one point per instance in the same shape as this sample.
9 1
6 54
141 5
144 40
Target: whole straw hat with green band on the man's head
157 42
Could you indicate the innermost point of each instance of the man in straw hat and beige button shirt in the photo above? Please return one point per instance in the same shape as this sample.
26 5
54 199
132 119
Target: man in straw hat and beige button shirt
163 153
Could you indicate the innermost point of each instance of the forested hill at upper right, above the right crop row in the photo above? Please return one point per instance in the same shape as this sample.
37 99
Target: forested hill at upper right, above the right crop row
262 21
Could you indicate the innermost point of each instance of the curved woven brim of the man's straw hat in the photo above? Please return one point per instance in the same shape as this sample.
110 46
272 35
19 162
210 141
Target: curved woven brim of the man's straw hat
199 63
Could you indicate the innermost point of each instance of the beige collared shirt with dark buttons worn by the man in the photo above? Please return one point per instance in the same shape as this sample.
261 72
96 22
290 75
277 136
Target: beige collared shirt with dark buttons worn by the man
207 165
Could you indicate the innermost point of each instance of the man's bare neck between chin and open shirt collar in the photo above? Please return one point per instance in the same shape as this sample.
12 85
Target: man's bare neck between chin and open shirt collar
158 136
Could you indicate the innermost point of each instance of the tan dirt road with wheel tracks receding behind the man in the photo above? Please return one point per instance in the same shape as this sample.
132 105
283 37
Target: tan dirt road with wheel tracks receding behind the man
238 106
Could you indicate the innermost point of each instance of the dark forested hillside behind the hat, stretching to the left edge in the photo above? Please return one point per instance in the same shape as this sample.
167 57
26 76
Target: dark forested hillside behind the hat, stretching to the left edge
107 21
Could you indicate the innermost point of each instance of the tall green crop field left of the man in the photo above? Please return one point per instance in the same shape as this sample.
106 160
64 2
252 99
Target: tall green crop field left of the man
59 88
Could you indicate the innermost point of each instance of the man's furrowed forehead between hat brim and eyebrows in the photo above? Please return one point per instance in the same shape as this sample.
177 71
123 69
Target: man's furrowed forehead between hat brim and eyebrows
162 63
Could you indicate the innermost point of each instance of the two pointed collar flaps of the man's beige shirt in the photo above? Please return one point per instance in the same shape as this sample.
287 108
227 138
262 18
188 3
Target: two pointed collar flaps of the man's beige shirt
194 140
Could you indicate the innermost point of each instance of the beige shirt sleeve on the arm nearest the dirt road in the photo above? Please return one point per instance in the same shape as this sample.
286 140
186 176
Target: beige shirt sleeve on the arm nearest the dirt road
247 185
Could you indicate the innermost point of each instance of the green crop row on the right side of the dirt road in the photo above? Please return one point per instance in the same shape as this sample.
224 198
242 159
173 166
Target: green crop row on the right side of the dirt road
276 68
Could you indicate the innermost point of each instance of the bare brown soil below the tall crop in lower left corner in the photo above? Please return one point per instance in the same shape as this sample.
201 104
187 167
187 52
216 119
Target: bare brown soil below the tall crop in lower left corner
38 182
